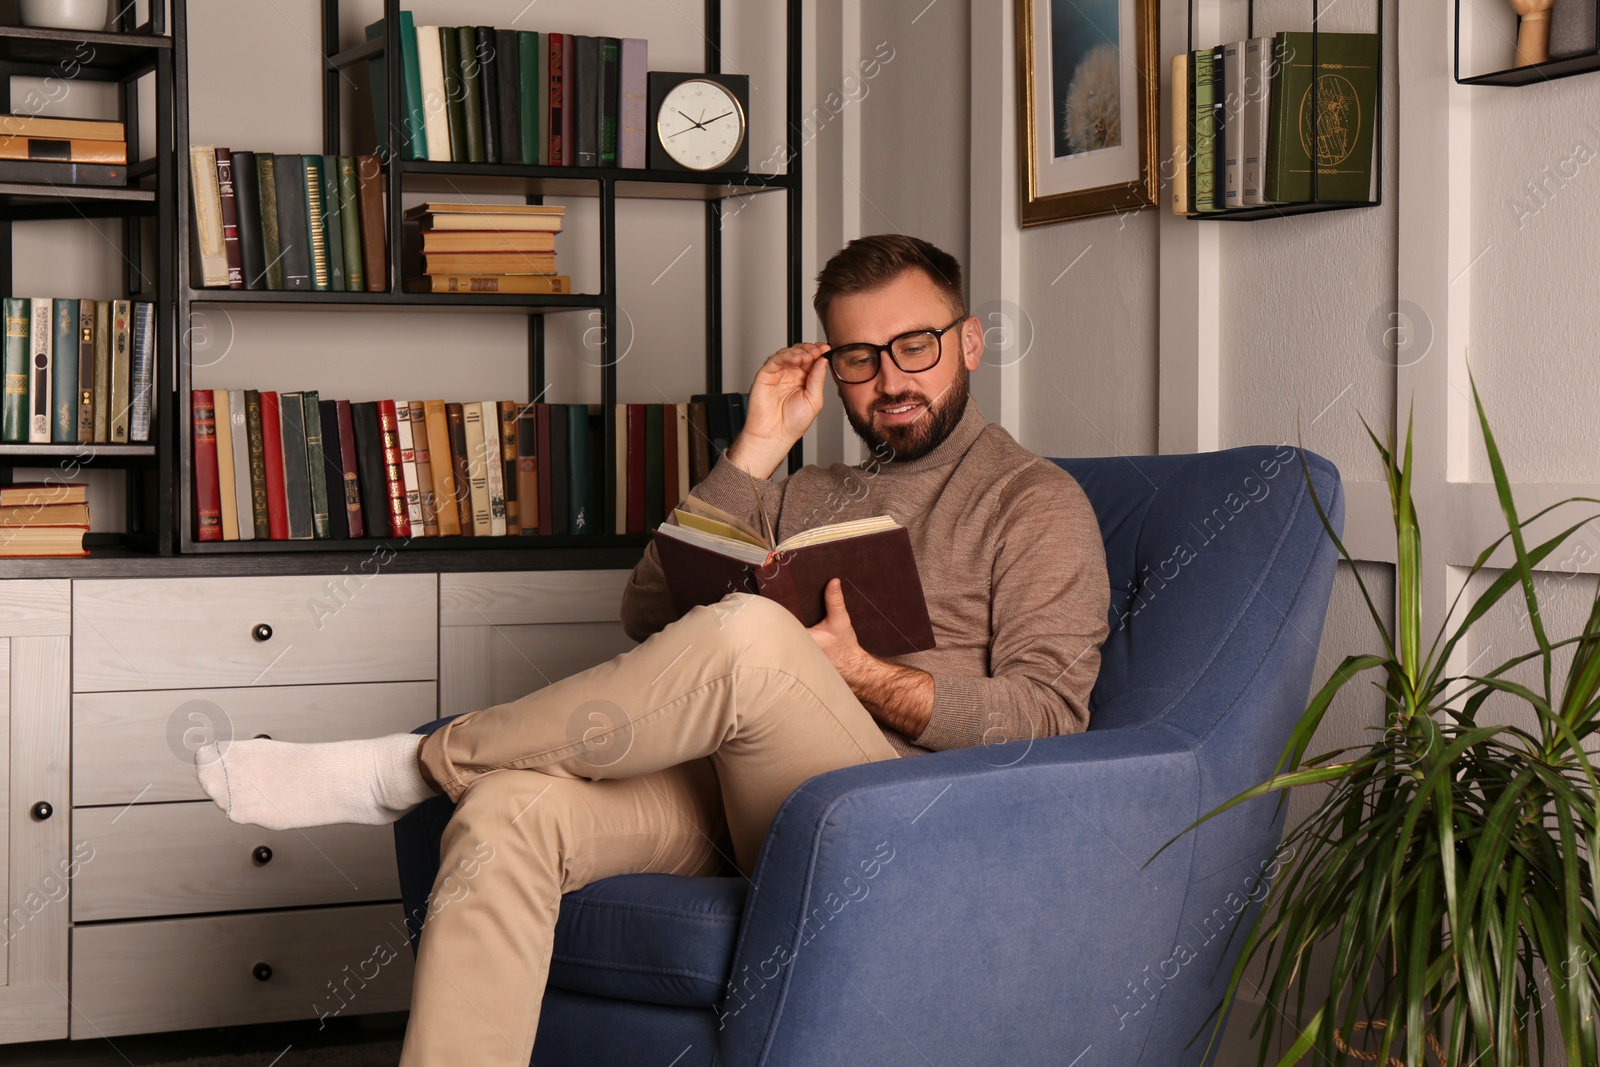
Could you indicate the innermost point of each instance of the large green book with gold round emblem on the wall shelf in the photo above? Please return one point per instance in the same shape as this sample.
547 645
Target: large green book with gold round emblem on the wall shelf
1346 113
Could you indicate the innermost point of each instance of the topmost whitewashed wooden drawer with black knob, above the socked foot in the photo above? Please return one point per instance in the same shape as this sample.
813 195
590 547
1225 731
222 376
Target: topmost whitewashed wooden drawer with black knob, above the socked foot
190 633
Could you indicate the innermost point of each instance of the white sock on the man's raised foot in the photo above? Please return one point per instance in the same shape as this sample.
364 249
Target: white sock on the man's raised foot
281 786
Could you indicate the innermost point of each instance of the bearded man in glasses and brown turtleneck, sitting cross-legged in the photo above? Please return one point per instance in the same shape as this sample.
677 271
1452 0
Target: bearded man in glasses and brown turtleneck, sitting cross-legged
682 749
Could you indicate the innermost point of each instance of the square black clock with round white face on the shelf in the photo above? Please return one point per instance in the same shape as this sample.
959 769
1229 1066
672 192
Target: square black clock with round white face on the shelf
700 122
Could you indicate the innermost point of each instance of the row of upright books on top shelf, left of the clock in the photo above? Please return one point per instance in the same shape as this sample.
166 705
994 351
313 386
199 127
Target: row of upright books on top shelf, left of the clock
486 95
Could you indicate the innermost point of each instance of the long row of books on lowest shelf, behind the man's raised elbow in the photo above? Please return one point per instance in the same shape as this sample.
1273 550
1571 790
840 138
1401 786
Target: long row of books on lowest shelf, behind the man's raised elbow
292 466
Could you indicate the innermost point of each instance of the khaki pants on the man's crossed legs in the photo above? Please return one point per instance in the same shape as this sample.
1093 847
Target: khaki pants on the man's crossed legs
660 761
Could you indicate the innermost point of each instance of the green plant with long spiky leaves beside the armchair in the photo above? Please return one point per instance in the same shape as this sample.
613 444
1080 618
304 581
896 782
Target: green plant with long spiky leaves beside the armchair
1450 871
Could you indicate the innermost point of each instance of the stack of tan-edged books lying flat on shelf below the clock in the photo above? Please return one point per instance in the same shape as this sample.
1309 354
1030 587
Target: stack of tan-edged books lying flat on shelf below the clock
482 249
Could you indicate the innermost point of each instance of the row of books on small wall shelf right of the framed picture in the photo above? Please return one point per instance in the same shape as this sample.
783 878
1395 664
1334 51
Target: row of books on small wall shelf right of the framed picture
1244 118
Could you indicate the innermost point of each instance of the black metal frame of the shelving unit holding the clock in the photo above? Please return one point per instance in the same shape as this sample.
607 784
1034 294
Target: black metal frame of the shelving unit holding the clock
534 183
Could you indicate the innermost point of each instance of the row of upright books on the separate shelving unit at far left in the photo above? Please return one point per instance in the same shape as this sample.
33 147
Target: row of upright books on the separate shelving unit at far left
78 372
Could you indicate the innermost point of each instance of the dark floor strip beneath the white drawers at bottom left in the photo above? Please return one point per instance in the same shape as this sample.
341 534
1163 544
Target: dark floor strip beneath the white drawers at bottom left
358 1042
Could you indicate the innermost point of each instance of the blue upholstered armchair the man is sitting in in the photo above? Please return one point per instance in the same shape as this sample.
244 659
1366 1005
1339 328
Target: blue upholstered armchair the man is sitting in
993 906
